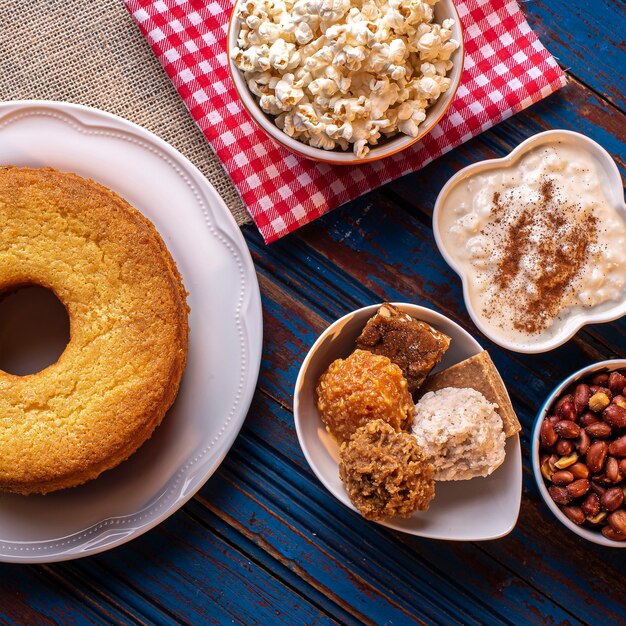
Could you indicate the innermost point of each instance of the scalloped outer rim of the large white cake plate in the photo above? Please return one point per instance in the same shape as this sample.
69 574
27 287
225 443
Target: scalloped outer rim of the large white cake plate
221 225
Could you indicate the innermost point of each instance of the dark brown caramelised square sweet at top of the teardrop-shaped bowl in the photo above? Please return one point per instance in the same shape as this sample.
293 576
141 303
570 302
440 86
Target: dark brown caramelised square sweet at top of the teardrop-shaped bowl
411 344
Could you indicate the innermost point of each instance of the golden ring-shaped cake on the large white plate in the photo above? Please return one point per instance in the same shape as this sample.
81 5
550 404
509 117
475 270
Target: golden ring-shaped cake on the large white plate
122 367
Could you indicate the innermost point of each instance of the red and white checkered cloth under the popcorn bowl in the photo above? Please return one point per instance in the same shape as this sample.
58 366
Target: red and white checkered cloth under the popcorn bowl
506 69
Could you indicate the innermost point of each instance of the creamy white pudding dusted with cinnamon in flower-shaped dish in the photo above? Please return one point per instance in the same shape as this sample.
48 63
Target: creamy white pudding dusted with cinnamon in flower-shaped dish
537 241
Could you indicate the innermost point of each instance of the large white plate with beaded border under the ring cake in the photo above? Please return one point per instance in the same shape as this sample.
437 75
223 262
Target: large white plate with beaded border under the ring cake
225 337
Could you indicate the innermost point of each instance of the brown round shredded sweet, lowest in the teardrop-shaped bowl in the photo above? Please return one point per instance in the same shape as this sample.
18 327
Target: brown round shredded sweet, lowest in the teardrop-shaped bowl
385 473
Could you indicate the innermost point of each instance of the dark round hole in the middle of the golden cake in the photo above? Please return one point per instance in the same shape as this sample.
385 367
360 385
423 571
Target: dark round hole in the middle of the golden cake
34 330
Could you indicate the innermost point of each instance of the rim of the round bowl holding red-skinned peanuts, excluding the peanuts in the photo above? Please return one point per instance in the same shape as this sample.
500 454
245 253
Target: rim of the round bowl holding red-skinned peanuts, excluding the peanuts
585 533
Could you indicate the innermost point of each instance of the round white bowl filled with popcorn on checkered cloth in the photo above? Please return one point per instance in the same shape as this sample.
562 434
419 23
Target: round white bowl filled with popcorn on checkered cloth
345 81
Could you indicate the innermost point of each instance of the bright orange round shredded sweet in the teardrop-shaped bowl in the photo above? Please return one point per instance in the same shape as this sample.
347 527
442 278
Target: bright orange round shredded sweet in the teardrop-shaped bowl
362 388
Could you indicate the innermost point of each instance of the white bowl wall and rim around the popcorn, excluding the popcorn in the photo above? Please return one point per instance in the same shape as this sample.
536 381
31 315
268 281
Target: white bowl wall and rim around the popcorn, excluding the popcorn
444 9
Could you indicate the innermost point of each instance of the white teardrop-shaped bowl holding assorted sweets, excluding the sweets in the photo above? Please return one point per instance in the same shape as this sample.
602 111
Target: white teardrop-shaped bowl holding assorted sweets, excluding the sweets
468 510
